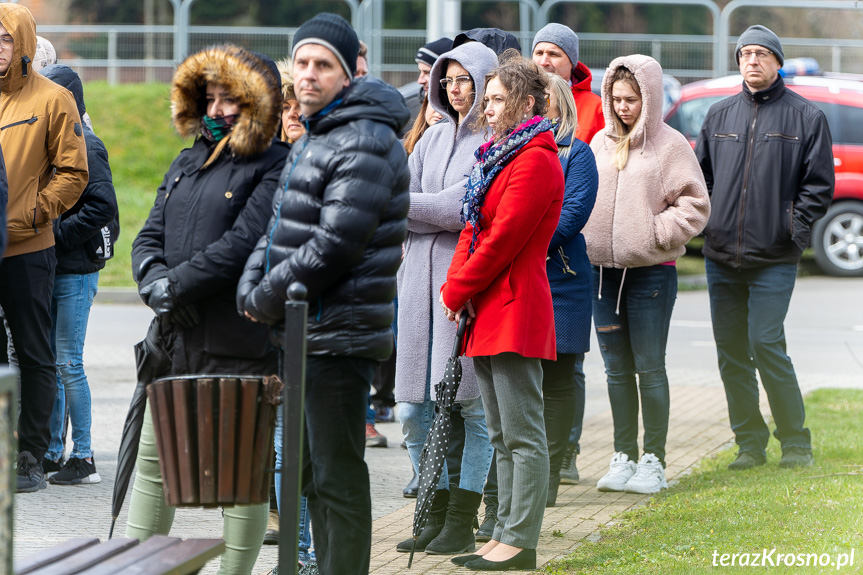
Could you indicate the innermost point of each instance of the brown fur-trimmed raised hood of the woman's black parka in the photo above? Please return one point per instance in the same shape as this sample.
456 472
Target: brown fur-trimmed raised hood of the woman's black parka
247 78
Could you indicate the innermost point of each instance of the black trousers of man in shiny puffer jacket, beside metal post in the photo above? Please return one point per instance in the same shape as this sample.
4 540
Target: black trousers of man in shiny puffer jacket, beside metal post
335 476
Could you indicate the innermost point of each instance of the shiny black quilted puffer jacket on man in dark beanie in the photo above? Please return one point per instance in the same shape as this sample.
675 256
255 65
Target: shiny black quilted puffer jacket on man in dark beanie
339 220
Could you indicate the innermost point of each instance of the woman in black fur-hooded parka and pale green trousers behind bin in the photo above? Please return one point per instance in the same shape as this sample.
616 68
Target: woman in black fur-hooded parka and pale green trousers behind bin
210 210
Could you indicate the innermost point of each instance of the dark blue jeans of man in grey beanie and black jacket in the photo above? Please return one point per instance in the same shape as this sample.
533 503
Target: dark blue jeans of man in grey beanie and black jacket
748 308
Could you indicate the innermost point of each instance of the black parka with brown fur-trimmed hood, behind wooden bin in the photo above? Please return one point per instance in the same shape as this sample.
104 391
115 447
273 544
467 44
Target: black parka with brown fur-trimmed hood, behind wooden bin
205 221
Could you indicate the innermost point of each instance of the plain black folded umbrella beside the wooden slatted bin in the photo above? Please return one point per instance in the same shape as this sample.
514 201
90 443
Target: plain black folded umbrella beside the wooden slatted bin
152 361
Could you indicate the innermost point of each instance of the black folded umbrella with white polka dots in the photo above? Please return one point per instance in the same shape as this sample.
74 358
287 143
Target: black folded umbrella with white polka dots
434 450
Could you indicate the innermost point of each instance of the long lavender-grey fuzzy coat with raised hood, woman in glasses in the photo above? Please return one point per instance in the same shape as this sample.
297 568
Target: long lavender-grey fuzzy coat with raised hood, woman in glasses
439 166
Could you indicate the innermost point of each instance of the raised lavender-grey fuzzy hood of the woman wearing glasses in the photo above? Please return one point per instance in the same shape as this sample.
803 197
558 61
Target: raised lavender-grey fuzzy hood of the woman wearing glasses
474 57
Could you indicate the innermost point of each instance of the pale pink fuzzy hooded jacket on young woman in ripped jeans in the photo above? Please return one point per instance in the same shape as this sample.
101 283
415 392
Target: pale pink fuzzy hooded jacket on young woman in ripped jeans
646 212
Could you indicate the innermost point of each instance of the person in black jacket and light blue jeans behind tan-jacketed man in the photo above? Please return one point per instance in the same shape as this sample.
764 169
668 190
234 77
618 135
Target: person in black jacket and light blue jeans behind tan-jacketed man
84 236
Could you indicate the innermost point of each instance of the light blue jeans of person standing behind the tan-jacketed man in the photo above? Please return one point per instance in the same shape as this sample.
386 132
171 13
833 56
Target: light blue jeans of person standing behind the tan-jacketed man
70 310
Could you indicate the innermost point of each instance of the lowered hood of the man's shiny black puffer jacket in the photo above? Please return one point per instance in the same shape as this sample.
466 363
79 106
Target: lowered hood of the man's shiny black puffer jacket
366 98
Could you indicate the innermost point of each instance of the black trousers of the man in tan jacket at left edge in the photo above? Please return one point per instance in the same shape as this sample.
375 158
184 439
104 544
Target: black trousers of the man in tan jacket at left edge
26 283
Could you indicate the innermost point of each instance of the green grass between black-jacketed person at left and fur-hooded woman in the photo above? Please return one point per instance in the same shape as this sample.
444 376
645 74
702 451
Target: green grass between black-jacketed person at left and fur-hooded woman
134 121
